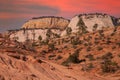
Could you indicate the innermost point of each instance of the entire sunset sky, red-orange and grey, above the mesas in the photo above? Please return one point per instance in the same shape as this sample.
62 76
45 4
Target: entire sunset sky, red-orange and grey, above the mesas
13 13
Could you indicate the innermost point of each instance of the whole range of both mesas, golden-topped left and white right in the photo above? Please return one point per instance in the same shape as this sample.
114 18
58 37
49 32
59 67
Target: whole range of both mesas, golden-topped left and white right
52 27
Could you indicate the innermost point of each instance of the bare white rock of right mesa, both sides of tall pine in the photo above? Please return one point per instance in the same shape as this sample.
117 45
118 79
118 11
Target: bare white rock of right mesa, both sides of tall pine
90 20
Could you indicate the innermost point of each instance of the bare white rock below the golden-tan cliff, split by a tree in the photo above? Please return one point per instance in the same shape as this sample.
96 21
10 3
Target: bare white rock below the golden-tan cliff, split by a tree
23 35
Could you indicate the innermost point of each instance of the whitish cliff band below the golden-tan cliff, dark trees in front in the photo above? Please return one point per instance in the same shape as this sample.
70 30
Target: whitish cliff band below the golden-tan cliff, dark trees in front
34 34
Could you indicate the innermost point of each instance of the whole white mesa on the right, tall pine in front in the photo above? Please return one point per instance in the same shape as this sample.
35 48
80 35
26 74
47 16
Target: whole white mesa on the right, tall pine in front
90 22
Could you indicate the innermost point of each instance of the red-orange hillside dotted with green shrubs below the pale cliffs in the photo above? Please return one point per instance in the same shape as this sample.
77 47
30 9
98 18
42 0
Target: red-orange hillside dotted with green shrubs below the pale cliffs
92 50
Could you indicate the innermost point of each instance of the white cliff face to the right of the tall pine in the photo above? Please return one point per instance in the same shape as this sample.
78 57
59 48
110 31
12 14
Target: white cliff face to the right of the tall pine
102 21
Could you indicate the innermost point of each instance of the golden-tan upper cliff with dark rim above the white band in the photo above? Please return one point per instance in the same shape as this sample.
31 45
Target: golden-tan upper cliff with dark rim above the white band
47 22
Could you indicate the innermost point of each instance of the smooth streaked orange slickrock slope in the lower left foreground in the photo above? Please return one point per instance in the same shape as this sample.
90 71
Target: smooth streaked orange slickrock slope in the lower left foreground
20 67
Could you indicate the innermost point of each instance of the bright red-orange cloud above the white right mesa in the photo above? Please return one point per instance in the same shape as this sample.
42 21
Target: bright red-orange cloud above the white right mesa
82 6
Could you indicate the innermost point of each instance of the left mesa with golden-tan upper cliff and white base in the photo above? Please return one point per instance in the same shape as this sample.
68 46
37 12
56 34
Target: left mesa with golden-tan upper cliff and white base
44 27
